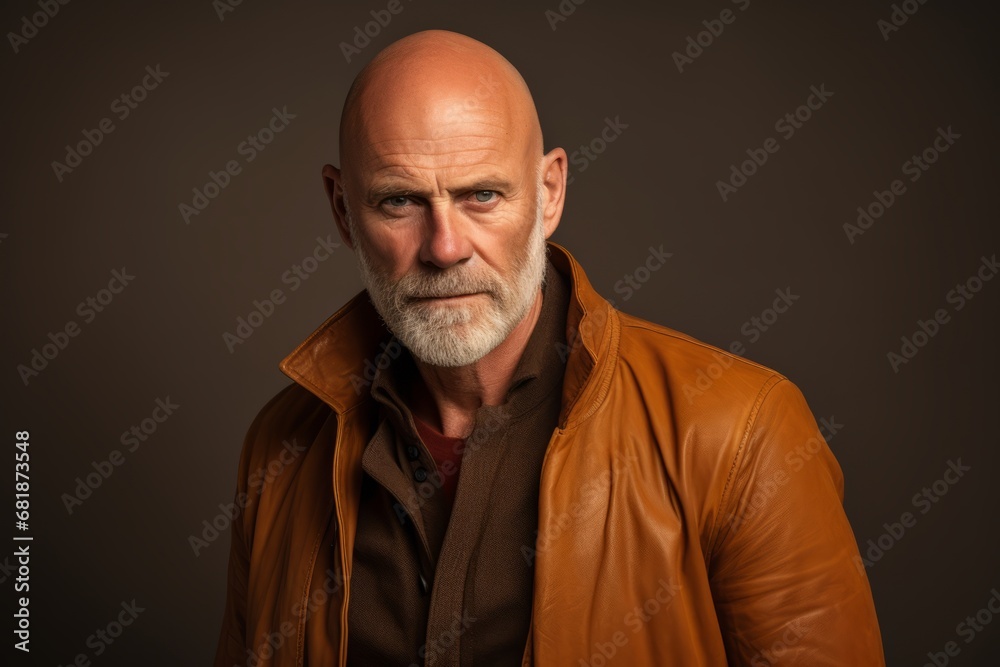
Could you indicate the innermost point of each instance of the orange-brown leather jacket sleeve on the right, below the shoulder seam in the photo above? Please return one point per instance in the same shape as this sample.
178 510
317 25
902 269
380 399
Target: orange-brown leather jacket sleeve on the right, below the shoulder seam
786 575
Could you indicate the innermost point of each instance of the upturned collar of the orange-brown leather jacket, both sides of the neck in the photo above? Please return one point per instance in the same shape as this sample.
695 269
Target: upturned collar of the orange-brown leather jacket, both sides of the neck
337 362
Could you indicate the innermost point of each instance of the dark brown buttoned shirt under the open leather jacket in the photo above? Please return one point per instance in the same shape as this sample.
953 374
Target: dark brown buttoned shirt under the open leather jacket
426 589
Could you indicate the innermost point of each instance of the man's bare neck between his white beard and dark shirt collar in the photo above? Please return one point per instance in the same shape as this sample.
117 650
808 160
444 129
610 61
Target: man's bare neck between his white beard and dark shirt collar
450 397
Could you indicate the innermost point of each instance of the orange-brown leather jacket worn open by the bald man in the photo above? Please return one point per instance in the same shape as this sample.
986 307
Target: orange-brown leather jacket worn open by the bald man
690 511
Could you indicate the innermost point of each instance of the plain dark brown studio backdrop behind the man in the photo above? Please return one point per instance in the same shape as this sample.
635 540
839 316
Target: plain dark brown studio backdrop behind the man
162 336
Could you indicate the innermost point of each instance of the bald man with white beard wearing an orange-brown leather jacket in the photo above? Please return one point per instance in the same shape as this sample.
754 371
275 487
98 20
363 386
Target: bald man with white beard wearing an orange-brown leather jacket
481 462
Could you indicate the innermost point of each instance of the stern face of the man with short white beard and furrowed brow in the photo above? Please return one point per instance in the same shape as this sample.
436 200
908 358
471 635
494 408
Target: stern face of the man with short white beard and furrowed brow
447 218
